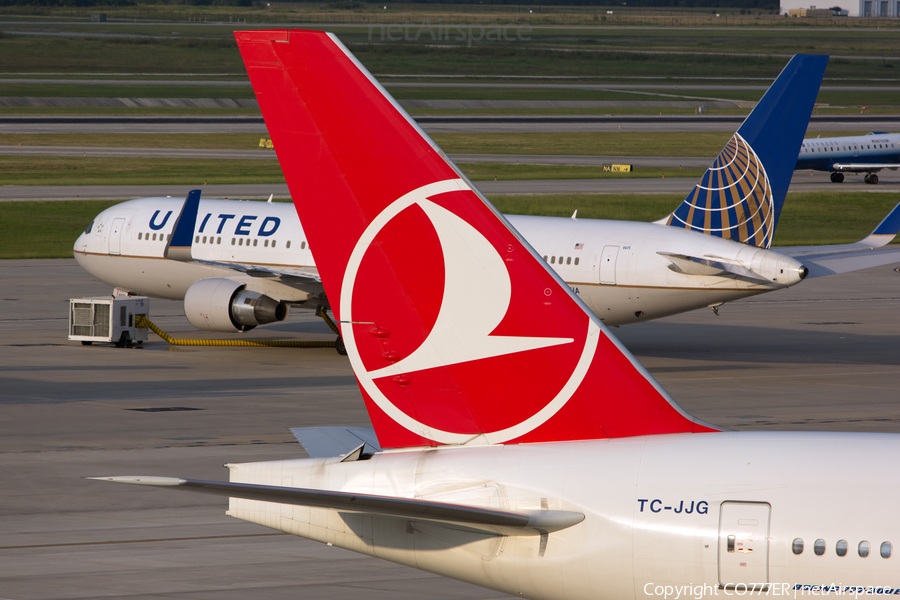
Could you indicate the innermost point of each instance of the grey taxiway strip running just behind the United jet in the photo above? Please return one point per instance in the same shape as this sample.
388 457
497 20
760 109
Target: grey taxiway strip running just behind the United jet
803 181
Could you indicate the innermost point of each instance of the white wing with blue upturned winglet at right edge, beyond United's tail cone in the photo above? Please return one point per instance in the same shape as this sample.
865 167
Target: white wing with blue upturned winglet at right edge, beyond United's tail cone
871 251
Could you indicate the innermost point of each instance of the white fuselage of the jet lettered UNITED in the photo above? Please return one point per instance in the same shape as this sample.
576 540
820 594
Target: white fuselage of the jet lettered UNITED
623 271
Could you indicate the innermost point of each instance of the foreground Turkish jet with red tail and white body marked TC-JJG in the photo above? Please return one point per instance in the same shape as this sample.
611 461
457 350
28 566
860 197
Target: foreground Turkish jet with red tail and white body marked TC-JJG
517 445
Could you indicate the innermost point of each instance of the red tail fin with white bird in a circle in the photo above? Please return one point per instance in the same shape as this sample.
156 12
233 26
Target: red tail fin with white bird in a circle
457 332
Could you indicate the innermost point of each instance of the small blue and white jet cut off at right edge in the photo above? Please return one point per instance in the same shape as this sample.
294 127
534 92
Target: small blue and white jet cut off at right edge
851 154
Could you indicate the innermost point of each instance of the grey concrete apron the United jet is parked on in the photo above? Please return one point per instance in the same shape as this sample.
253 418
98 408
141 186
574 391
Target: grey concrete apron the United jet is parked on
820 356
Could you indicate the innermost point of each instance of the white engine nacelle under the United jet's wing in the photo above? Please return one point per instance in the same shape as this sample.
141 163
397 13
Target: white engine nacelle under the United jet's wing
220 304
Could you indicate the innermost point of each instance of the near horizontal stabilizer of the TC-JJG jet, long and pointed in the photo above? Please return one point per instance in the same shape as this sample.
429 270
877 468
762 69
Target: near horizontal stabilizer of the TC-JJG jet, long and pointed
506 522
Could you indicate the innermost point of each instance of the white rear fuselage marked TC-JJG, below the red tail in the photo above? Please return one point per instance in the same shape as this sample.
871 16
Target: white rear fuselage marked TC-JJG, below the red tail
718 512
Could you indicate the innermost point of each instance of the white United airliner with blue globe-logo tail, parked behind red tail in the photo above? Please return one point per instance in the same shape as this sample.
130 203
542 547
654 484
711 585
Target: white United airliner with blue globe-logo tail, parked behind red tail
239 264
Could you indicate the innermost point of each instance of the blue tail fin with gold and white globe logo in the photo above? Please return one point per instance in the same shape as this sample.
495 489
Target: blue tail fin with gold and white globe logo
741 195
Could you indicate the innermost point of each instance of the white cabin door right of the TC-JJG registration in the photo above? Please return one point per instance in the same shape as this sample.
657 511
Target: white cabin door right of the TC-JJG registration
744 544
